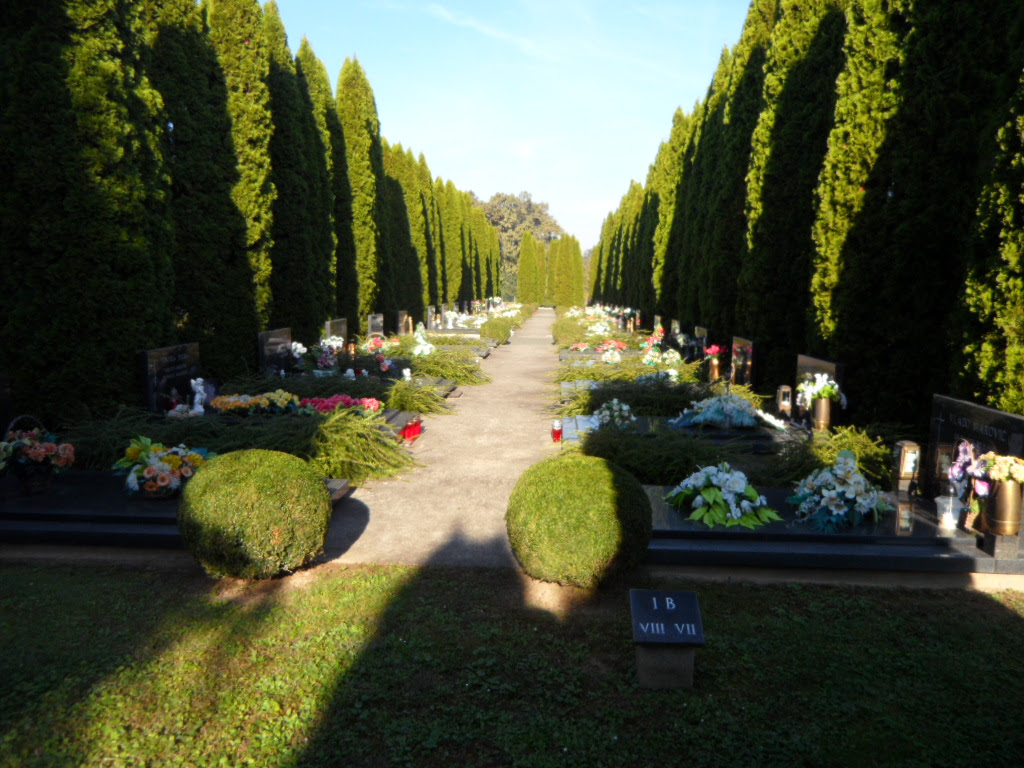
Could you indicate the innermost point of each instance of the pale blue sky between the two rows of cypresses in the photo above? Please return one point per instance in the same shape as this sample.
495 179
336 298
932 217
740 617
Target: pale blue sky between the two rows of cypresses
567 100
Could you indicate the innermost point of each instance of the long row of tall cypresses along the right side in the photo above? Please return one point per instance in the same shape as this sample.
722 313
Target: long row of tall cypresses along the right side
850 187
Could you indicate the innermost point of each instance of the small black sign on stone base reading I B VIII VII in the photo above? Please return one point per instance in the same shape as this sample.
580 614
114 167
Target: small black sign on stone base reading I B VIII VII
667 631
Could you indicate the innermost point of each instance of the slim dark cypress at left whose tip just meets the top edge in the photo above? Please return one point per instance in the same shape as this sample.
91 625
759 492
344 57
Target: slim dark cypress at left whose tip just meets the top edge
301 279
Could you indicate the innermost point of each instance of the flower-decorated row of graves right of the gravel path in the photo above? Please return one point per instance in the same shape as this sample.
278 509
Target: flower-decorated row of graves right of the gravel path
716 456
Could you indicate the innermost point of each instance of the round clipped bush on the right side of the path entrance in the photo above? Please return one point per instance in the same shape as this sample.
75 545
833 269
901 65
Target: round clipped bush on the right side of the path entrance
576 520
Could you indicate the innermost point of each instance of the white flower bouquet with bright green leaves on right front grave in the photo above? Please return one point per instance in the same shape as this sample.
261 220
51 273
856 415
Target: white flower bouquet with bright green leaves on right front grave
721 496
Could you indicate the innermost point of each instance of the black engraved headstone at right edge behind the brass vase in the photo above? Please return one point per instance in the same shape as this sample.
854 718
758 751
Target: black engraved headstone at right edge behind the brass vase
985 429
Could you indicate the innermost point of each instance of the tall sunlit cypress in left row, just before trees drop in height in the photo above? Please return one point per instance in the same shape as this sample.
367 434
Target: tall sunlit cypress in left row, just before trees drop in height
358 112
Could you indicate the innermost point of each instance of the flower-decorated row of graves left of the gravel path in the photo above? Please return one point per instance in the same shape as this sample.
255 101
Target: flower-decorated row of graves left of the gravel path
347 409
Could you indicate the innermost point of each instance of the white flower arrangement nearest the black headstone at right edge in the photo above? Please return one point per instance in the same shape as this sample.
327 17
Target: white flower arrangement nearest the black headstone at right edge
838 497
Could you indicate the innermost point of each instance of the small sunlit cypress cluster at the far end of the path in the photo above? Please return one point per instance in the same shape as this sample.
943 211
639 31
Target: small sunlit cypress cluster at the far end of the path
551 272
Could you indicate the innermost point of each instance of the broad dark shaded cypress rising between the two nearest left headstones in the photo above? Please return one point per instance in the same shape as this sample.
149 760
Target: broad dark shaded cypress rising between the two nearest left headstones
214 298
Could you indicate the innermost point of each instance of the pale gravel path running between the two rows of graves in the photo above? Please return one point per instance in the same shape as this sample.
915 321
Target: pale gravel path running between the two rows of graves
451 510
